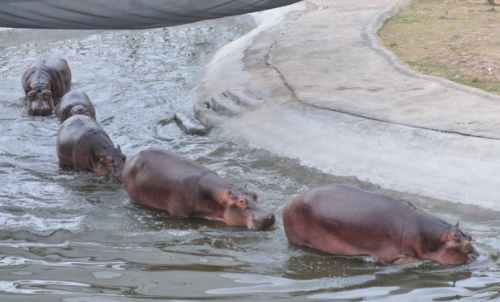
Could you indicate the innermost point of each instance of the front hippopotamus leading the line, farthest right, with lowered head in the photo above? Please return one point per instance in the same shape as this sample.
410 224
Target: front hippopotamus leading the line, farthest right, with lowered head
343 220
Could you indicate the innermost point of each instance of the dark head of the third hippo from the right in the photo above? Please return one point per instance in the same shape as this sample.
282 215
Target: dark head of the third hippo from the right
111 163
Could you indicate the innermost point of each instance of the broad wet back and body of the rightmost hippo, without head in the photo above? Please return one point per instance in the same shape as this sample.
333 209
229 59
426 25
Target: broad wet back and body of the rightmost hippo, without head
343 220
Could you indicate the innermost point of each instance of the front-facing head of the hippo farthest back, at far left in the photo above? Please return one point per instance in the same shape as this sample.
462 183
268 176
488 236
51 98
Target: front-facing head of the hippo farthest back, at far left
39 99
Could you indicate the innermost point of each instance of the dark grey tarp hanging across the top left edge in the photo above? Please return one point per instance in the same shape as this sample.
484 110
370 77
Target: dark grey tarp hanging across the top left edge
122 14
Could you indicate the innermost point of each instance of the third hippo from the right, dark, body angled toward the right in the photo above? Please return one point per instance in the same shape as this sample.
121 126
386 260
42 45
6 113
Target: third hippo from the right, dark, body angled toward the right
82 144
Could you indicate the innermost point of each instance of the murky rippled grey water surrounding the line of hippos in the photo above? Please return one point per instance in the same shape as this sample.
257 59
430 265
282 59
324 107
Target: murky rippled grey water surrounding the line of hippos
68 236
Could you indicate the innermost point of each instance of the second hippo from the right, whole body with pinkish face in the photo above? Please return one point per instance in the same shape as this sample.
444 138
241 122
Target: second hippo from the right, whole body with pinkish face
182 187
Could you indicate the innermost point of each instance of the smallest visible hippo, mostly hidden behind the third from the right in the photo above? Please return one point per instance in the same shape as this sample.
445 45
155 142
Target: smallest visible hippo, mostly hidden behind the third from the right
73 103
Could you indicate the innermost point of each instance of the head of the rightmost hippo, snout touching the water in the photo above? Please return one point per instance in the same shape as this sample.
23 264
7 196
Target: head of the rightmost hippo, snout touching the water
455 247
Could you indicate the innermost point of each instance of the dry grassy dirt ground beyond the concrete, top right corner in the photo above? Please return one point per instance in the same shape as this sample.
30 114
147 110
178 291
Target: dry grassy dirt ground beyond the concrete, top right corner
455 39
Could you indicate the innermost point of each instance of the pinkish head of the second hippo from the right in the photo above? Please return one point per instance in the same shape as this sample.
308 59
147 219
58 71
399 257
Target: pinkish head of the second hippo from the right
241 209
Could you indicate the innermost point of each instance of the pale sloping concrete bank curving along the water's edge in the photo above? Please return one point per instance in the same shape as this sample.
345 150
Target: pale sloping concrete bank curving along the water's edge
312 82
